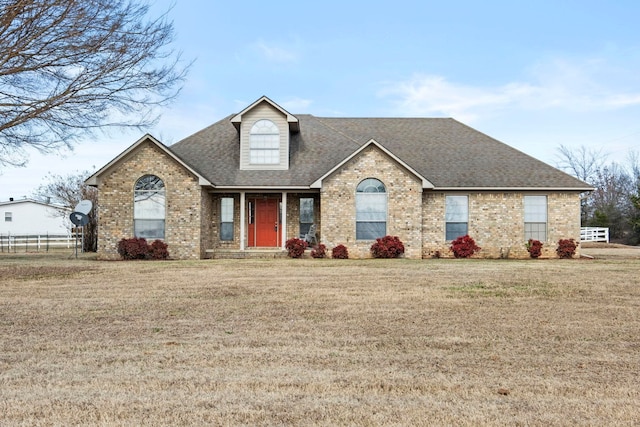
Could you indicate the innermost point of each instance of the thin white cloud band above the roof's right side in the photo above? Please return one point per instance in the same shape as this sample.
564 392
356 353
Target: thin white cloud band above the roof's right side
560 84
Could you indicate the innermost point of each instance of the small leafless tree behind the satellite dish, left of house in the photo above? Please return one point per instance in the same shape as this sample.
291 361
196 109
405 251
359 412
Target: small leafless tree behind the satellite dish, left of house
68 191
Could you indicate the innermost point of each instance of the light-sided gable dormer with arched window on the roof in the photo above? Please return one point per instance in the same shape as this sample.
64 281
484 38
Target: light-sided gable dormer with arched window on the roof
265 132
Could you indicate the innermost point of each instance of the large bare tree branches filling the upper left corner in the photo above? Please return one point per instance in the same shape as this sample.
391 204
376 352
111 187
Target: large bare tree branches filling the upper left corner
70 67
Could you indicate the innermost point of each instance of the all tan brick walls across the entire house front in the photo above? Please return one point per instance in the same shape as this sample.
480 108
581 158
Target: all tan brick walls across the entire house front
496 219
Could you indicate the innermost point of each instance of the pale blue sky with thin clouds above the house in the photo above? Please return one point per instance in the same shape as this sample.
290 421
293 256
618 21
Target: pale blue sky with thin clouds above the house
534 75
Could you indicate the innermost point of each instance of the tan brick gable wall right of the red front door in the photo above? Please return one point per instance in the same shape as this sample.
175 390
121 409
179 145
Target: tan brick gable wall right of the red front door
404 195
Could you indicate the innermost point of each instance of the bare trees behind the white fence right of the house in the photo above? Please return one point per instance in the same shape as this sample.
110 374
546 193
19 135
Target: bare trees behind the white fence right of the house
615 200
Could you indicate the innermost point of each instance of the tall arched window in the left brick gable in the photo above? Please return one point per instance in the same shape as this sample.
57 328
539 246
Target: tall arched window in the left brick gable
149 208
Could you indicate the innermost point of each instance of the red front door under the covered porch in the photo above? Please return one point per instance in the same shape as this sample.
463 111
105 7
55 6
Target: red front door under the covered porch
264 223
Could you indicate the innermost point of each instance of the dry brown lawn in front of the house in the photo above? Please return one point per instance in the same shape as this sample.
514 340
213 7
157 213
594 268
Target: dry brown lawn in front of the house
319 342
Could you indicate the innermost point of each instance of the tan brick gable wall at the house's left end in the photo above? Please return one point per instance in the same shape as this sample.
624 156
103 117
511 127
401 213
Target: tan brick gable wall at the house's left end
184 199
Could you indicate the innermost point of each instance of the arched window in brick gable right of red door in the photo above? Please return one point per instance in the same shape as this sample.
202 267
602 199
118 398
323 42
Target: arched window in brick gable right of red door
371 210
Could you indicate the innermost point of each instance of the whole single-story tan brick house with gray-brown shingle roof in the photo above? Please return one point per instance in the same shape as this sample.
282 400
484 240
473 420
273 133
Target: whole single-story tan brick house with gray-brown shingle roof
259 177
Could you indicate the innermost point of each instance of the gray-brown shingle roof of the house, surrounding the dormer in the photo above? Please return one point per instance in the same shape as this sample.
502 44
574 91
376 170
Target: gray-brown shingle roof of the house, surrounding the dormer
444 151
